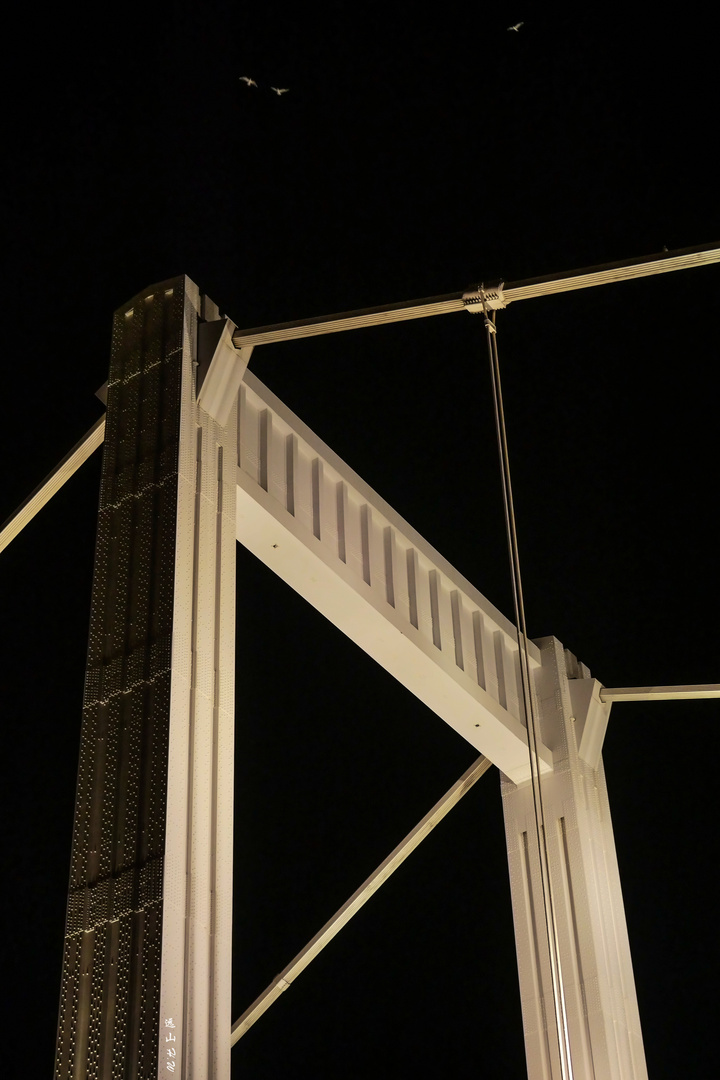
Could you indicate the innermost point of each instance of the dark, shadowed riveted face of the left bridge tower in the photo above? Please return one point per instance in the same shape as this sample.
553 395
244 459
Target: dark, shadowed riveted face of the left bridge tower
111 991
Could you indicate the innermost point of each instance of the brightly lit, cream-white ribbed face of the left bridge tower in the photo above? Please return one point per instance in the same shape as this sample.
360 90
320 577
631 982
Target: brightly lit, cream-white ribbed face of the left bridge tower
197 944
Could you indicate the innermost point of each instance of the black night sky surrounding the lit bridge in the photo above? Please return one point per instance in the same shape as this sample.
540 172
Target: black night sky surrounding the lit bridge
413 157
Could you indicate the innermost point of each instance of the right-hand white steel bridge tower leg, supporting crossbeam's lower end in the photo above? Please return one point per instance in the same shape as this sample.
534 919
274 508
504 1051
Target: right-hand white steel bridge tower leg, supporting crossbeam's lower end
604 1023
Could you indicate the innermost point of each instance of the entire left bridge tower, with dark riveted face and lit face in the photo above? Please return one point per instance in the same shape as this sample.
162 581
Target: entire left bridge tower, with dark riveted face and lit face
147 962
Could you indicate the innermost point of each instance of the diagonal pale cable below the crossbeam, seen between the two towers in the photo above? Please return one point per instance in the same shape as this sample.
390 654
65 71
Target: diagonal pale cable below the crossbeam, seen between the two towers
359 899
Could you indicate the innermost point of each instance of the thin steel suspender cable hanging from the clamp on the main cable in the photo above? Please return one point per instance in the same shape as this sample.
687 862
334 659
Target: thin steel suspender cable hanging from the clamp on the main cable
551 921
